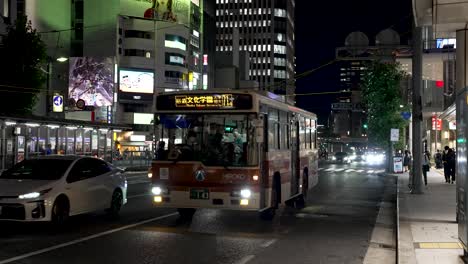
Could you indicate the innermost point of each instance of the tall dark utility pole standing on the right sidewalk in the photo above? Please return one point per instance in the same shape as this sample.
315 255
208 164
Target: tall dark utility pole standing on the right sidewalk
416 170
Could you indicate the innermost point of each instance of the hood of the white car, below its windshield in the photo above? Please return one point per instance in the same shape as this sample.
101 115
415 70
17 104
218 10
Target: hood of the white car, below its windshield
12 187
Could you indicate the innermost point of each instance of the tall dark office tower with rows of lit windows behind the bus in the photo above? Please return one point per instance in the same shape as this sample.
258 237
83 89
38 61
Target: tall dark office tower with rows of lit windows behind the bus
266 31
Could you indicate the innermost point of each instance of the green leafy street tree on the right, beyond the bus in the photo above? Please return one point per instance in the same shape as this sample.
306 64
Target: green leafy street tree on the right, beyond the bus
383 99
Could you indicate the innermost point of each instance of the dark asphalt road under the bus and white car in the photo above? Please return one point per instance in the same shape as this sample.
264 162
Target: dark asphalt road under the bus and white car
335 227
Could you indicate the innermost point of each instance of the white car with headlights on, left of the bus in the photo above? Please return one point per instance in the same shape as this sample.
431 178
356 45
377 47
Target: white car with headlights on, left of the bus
52 188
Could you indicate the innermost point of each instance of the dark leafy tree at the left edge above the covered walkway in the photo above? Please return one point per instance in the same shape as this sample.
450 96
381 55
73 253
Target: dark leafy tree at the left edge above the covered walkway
21 78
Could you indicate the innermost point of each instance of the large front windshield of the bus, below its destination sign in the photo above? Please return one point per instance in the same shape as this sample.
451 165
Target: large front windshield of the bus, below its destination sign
214 140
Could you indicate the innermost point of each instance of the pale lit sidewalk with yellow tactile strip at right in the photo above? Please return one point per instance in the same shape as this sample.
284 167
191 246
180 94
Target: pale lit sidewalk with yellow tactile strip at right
428 232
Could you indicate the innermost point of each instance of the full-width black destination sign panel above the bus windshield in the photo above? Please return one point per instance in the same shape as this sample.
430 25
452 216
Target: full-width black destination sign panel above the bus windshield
204 102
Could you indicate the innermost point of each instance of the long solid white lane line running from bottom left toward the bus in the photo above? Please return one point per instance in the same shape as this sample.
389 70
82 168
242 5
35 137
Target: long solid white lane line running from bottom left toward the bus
76 241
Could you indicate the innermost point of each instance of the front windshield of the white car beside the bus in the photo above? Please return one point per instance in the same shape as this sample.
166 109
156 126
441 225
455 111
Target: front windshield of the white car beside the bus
38 169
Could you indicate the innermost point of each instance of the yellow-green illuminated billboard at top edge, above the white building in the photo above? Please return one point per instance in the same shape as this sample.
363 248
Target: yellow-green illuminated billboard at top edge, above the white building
168 10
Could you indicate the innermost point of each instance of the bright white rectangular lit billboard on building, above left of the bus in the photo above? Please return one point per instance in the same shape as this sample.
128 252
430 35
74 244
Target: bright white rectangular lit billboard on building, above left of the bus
136 81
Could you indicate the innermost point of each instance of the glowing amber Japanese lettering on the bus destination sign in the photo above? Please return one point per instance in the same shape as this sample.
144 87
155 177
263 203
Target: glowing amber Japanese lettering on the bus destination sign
205 101
